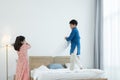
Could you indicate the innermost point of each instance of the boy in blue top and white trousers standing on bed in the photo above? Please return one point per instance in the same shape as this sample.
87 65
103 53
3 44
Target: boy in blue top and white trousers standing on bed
74 38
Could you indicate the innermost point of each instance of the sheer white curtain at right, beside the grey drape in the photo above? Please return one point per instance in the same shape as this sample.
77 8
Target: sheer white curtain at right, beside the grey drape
111 38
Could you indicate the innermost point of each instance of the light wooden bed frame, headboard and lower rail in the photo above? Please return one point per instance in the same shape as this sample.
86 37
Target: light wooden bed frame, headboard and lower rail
37 61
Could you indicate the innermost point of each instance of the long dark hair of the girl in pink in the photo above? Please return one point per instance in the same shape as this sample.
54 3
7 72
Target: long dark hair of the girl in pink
18 42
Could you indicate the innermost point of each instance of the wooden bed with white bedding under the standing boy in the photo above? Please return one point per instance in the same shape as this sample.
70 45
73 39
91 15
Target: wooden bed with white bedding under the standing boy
37 61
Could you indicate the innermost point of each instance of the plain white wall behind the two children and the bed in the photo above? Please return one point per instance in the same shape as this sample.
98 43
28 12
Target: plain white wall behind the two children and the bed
45 24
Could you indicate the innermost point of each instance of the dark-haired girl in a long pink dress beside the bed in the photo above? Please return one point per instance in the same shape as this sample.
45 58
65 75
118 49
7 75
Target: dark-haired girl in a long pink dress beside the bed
22 70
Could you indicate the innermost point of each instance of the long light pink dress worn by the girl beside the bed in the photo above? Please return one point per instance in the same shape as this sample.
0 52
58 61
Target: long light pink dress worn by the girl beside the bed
22 70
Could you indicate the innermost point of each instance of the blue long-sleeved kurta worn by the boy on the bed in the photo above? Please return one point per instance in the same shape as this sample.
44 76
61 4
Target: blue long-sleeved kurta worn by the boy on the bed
75 40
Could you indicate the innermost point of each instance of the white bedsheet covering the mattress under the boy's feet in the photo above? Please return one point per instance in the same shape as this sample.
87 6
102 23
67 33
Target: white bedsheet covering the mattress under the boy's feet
66 74
